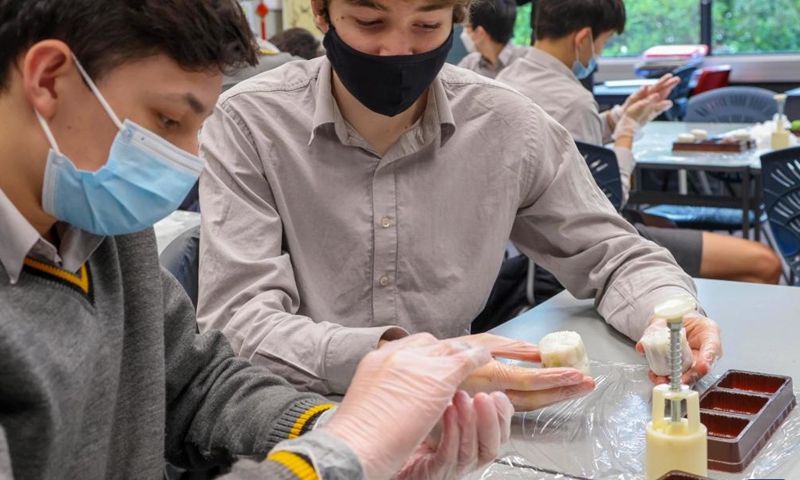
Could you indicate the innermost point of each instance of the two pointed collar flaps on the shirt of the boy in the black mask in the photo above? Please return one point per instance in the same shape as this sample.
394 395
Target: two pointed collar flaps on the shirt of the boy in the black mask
326 112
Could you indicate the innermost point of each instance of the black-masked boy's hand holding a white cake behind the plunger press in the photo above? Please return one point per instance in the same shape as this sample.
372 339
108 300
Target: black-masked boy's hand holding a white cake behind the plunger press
705 339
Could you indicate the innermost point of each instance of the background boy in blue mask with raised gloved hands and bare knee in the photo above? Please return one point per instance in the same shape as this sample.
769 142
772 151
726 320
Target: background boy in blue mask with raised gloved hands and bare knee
570 35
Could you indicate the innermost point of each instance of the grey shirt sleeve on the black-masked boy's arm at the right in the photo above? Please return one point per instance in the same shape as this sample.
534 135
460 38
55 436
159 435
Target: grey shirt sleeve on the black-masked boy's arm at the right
566 225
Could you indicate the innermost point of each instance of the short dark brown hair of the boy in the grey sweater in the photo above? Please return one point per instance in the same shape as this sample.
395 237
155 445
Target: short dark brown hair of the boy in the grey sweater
197 34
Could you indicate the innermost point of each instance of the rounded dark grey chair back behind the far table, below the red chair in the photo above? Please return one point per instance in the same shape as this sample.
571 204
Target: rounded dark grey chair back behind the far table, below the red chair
732 105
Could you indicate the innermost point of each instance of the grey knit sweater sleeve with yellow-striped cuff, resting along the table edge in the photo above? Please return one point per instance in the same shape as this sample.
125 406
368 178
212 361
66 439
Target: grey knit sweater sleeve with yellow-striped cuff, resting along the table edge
219 406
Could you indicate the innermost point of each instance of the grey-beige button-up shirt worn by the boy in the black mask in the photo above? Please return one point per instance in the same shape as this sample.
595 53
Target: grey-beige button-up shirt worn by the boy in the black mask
313 244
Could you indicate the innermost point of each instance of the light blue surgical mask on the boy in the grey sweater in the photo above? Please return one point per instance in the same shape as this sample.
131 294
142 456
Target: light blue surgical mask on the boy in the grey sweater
144 180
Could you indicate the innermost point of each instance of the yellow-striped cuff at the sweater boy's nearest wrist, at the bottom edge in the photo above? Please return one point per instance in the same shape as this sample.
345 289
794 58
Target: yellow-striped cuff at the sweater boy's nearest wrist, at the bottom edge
320 453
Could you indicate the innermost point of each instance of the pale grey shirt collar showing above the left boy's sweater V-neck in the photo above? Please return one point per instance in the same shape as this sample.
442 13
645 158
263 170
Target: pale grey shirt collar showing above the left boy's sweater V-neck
18 239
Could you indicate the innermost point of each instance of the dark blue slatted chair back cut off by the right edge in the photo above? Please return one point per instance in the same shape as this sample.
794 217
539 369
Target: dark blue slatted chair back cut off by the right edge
780 172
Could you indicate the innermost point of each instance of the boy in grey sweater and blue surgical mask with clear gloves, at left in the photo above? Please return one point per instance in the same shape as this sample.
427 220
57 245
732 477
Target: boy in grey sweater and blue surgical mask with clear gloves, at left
102 373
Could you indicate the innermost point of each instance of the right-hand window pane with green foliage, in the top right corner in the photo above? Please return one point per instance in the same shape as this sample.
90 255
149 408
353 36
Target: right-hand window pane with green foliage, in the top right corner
755 26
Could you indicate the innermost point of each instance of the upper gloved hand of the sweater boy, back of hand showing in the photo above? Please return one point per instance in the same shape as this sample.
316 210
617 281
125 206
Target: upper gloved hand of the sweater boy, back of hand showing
397 396
